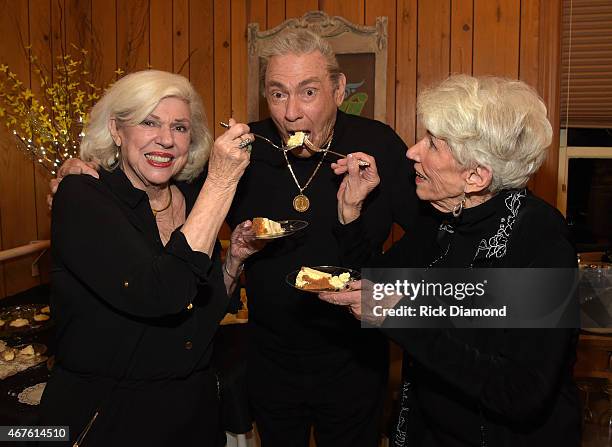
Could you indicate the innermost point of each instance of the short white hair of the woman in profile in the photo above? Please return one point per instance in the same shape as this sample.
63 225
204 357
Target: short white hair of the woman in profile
488 121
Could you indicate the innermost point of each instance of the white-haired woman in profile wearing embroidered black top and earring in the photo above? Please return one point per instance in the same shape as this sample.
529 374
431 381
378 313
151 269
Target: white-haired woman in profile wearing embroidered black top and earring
482 387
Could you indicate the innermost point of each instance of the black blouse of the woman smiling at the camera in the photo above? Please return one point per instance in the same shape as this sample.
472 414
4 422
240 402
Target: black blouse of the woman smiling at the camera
120 298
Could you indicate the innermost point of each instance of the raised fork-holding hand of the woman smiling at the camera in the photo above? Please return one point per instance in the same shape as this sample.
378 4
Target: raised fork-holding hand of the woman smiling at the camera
230 157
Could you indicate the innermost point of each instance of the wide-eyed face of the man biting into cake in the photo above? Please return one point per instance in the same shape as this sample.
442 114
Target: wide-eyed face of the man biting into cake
302 97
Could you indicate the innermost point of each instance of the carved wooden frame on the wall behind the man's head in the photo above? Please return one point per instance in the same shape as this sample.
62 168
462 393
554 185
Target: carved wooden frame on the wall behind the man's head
345 38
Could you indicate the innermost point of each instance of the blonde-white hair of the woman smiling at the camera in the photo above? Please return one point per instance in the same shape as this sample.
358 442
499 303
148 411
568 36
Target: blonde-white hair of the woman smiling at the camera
129 101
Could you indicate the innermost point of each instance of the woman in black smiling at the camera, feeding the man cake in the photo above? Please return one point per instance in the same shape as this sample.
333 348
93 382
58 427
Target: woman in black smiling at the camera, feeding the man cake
138 286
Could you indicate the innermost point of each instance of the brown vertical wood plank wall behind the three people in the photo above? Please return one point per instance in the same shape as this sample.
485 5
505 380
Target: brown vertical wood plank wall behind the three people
205 40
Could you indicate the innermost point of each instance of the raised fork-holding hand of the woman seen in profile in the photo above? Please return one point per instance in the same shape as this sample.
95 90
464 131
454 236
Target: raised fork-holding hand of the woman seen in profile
358 182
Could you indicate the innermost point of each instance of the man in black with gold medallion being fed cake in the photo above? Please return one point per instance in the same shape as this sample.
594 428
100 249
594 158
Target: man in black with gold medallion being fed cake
309 363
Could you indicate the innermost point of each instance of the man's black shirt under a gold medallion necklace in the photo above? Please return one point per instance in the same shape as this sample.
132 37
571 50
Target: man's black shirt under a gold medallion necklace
281 316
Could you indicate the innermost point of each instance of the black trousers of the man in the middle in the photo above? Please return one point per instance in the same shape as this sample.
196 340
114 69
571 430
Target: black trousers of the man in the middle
338 393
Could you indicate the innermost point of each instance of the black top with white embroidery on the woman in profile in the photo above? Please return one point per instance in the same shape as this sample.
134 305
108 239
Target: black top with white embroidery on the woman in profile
484 386
